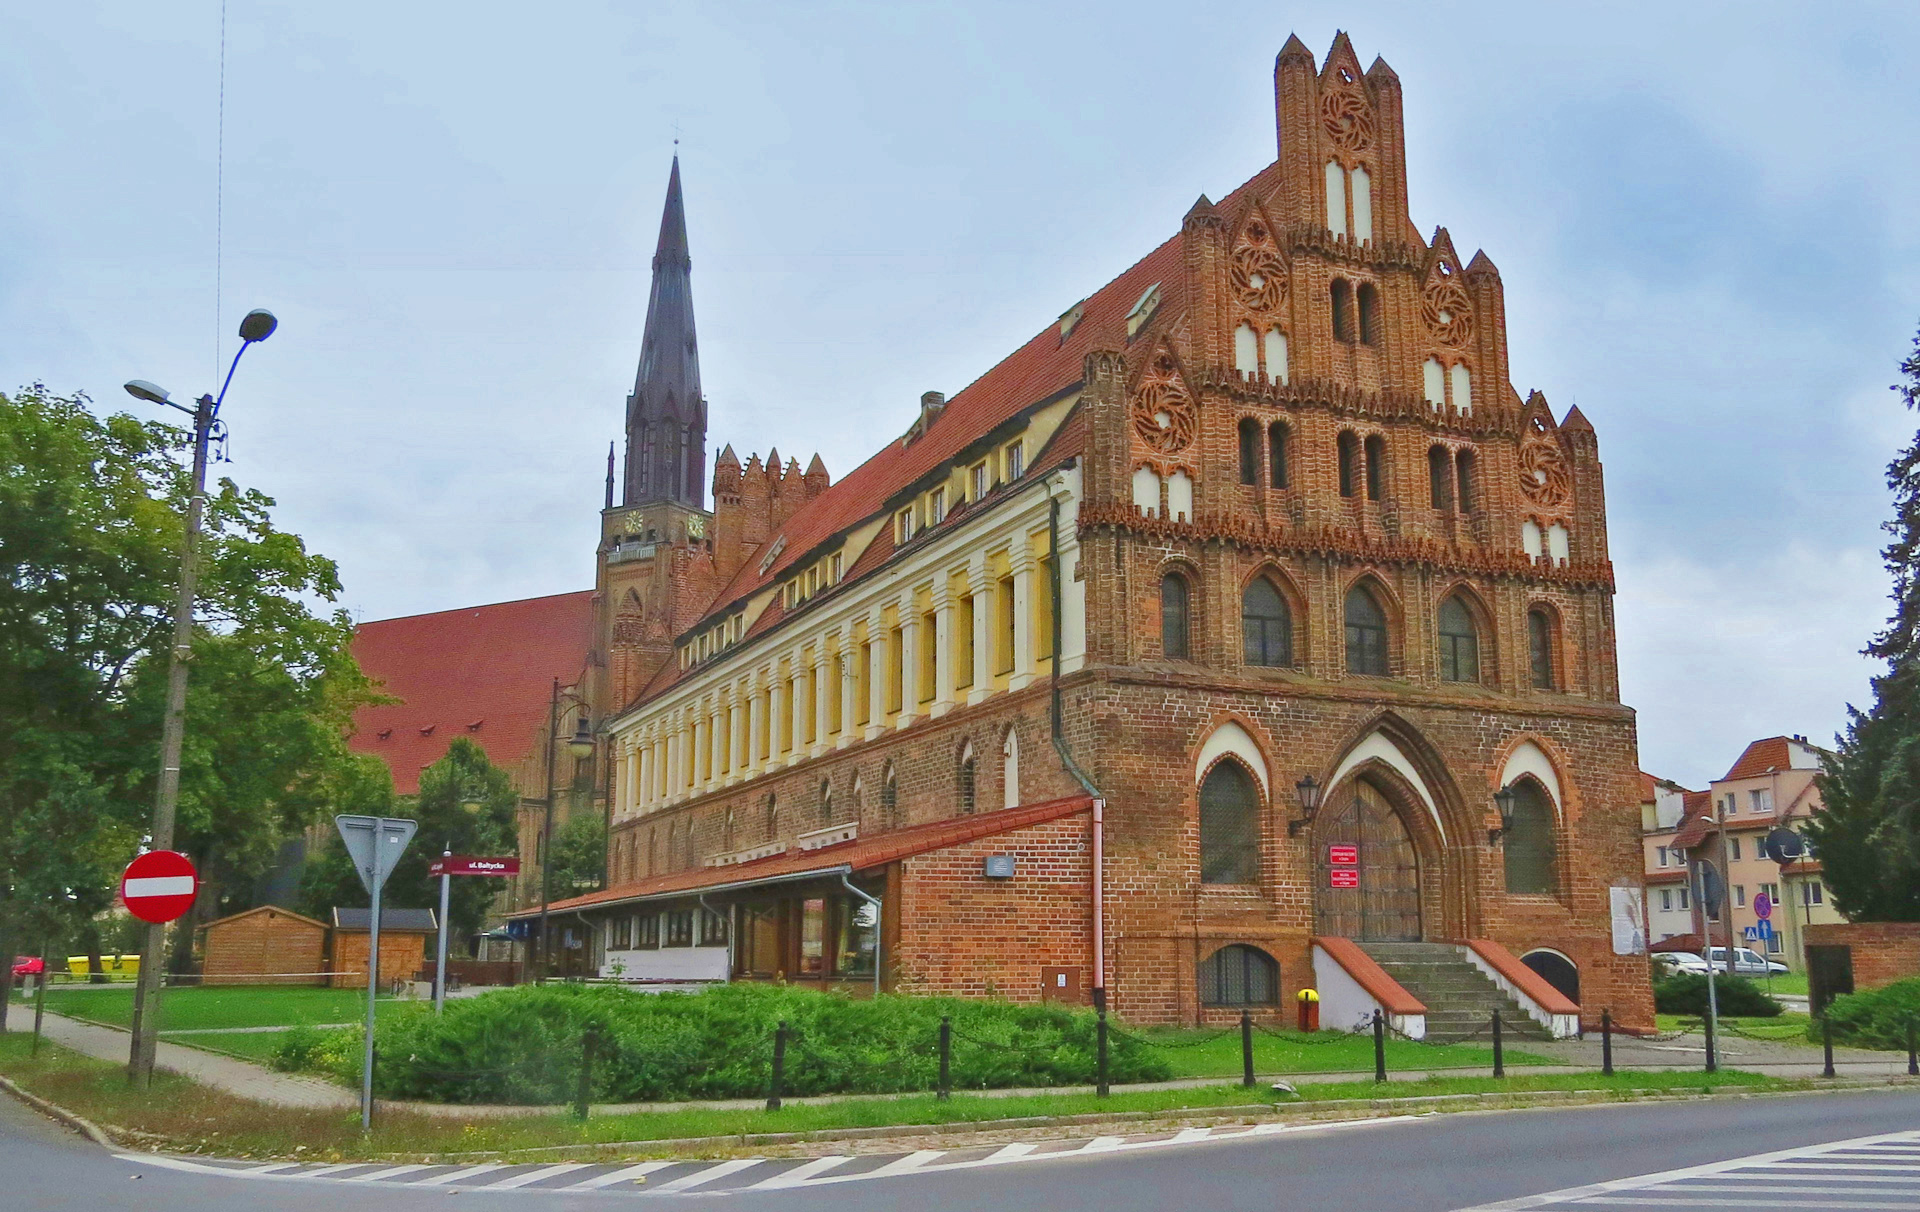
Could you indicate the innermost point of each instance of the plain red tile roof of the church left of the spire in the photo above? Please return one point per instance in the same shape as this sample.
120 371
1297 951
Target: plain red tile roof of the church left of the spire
483 673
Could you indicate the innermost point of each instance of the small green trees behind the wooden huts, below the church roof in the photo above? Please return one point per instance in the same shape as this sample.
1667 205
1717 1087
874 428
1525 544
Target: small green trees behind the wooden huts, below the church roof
462 777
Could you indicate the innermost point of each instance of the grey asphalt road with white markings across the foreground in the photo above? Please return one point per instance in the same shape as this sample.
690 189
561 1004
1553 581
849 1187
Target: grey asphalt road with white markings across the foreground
1548 1159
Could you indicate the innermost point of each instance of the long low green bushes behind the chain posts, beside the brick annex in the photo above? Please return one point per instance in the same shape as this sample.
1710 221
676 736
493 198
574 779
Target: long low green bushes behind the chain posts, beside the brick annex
525 1046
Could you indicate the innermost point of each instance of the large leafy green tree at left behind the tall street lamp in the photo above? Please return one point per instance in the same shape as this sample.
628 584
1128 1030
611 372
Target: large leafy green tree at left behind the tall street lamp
91 523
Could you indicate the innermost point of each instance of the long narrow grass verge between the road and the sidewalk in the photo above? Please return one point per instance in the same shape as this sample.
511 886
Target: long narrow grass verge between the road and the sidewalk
193 1119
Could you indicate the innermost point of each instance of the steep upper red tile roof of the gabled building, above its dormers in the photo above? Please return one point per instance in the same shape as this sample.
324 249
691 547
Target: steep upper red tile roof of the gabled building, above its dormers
1034 374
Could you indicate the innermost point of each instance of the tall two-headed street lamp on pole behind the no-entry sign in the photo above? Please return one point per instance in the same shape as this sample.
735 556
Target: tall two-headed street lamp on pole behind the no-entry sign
256 327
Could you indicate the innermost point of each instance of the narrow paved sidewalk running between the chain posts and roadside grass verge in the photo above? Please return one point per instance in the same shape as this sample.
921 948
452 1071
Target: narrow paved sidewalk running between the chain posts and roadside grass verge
1579 1055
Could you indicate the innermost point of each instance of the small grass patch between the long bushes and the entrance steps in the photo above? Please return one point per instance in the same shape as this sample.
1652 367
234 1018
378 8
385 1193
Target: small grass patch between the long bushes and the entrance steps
1216 1055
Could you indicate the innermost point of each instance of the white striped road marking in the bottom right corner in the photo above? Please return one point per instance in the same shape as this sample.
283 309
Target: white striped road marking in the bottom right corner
1865 1173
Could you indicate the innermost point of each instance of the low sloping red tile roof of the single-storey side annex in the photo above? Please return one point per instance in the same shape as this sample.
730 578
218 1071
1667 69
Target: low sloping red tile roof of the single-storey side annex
861 854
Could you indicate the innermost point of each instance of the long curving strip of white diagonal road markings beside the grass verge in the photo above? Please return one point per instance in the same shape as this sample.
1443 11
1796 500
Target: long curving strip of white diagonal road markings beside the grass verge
709 1176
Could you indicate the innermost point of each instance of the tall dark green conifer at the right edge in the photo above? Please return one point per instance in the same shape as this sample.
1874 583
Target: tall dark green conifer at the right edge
1869 833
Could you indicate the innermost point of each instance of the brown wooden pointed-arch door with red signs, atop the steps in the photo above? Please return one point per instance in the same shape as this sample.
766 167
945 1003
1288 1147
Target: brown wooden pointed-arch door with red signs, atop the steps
1366 869
